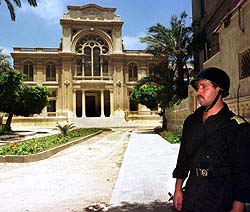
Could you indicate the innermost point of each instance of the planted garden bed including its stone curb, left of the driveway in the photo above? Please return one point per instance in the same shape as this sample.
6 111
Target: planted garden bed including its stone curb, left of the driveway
41 148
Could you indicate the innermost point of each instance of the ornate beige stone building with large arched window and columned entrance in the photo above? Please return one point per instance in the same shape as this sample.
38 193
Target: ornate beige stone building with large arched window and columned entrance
90 74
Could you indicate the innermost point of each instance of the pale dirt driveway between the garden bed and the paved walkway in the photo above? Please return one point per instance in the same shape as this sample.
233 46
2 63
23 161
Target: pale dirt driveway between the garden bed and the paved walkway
68 181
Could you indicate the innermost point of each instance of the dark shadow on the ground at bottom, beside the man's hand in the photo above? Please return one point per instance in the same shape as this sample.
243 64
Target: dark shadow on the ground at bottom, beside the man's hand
155 206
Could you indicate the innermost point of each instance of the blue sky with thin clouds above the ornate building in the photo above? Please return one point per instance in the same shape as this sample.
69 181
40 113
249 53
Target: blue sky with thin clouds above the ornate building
40 26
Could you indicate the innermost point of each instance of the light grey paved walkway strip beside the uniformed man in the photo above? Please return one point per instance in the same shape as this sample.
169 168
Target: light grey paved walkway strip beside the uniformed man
146 172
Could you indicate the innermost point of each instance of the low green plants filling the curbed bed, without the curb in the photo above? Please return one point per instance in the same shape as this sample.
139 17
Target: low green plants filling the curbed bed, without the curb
41 144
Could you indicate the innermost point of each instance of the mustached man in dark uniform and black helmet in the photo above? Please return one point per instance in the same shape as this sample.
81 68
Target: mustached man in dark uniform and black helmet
214 153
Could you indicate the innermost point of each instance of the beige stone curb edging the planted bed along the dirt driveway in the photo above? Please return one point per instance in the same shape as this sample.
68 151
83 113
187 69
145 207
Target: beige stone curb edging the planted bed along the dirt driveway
42 155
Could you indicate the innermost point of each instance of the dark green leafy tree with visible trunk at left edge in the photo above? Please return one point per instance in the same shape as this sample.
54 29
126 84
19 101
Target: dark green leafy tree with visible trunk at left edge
16 98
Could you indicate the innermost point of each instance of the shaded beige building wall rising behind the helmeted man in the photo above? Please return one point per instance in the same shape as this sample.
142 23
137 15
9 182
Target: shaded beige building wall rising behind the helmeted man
223 29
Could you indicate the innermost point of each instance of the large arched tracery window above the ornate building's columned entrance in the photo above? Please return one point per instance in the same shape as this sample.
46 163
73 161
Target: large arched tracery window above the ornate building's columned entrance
92 47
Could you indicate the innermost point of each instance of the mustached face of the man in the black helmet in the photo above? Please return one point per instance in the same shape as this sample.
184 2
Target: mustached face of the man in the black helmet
206 92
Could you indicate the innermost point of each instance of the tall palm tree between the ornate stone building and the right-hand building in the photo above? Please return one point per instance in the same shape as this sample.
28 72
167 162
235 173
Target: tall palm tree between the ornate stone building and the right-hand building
173 47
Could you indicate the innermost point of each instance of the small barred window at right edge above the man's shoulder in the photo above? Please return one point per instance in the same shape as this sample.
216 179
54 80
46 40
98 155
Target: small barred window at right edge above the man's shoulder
245 64
